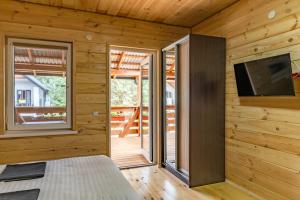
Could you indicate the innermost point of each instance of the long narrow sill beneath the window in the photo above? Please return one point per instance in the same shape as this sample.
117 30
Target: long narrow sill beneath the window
16 134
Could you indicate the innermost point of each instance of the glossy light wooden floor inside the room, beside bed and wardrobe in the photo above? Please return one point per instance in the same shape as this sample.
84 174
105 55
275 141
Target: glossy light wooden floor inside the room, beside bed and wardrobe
155 183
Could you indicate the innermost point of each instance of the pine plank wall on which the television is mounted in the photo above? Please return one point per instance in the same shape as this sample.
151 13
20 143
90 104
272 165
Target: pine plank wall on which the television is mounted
263 144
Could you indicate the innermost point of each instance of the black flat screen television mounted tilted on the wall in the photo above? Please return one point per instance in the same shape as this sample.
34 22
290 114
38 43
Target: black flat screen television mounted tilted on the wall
265 77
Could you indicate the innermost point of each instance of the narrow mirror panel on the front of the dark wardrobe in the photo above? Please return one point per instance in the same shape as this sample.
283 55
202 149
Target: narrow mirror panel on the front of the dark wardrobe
170 106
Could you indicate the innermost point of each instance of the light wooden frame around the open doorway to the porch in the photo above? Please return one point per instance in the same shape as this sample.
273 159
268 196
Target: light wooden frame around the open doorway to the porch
155 95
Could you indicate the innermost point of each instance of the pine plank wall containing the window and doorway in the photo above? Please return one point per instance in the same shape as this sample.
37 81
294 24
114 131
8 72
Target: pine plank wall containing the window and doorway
90 80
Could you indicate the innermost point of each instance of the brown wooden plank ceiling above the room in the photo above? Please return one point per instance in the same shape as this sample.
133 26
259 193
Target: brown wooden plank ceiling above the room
175 12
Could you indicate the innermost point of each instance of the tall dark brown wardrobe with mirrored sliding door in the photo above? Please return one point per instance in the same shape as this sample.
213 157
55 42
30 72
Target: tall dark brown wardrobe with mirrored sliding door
194 109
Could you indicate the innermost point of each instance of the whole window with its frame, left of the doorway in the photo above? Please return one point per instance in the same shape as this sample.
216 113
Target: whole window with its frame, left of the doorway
38 85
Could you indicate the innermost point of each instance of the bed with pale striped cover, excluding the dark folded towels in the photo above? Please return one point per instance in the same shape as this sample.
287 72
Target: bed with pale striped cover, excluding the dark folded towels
82 178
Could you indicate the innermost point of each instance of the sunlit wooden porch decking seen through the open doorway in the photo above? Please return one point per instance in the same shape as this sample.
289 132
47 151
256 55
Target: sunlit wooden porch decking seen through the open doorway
126 152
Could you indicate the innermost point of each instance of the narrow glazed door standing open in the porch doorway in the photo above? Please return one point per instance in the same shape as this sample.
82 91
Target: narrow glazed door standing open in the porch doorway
146 109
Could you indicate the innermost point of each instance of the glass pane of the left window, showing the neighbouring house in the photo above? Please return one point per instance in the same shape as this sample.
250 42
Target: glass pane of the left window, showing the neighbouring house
40 85
